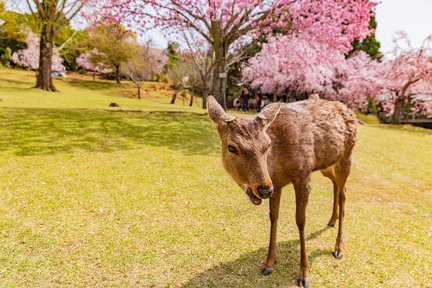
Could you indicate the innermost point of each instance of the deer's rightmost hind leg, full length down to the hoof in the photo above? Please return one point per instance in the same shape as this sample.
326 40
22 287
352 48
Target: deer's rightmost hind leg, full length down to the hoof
342 170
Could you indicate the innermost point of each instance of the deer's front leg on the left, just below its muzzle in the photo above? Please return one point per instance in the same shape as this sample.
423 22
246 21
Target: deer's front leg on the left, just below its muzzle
274 214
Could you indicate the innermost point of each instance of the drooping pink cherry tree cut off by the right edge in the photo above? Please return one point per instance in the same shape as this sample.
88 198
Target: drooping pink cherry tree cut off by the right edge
409 79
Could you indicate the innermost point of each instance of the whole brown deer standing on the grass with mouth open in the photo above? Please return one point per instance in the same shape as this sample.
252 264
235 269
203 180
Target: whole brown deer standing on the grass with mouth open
284 144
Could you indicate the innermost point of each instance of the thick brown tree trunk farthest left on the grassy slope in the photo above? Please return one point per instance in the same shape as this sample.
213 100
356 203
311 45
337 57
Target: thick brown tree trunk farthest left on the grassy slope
44 79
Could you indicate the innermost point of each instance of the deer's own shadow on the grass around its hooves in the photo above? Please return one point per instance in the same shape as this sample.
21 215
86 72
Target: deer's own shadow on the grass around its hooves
245 271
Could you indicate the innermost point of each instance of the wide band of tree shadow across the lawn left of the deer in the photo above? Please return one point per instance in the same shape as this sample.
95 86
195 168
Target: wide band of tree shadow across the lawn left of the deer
29 131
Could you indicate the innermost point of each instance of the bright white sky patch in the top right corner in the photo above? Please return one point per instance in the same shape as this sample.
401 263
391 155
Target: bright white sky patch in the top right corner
412 16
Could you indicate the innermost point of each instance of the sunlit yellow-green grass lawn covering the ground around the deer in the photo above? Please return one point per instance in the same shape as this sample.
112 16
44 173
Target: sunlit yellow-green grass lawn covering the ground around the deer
137 197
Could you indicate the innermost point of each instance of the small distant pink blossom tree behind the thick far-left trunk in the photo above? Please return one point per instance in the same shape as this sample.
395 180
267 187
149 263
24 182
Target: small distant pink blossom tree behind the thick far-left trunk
29 57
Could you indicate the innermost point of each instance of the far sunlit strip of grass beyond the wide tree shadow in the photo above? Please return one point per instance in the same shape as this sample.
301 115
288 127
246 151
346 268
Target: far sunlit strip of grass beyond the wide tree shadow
81 92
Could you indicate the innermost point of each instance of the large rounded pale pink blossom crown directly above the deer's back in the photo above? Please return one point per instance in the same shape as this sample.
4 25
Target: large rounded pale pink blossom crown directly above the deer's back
294 63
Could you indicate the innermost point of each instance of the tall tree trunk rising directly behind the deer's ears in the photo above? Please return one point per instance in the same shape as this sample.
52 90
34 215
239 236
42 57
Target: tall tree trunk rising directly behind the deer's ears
220 70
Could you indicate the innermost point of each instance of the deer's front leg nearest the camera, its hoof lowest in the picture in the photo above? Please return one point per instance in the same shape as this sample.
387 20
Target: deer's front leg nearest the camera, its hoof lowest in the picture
302 189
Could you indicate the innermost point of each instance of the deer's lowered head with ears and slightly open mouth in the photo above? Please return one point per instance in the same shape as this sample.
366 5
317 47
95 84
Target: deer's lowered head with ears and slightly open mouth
245 146
